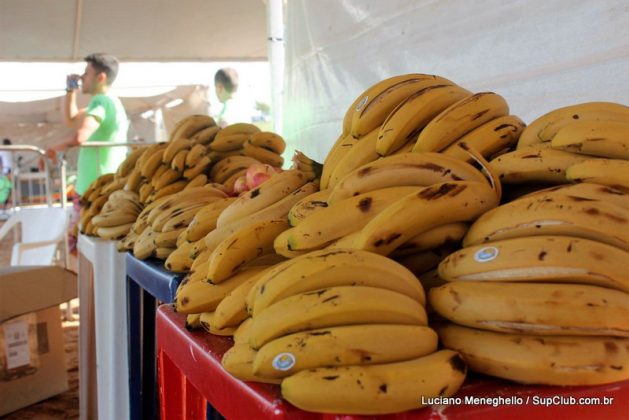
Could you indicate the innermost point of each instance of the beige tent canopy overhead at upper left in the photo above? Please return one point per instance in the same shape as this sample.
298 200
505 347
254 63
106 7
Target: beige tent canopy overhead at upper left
133 30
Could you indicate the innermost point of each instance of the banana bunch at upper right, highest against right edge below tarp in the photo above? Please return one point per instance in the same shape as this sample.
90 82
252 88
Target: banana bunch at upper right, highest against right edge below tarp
586 142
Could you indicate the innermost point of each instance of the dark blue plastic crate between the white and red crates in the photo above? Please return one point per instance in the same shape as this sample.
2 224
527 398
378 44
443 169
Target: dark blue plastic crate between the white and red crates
148 284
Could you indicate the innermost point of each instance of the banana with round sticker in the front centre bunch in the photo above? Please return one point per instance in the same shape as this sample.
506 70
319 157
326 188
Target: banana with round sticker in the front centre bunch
343 346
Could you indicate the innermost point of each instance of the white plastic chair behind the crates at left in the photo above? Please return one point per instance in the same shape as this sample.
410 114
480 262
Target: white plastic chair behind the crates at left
42 229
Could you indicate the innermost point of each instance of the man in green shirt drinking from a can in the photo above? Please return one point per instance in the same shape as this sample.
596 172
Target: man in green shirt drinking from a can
104 120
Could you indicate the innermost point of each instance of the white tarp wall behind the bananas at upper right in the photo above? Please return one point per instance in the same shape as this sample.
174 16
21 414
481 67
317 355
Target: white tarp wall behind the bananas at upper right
539 54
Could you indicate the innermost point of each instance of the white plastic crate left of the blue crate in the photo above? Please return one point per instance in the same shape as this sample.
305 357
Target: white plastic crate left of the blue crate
104 387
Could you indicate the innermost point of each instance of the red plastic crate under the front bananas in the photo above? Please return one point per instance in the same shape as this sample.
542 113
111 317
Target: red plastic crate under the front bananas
190 374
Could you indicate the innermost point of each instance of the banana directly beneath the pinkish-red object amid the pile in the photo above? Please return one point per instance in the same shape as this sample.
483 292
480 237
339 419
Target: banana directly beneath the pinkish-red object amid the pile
271 191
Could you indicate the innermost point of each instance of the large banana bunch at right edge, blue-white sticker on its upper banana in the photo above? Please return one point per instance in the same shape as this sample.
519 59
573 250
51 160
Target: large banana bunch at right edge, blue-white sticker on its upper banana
539 294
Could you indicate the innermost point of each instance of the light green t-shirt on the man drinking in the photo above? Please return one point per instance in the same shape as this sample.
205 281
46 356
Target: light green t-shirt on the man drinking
93 162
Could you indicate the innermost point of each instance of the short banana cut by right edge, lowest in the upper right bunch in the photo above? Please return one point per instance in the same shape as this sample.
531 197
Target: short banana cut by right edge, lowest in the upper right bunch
610 172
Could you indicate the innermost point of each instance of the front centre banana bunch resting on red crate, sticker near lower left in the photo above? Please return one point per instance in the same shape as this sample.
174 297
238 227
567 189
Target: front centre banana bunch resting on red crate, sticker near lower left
350 315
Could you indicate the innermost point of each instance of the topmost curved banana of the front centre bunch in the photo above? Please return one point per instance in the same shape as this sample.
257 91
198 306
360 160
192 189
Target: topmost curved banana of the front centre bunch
333 268
